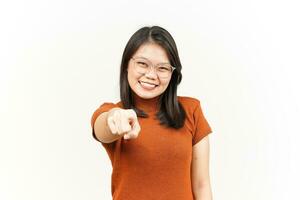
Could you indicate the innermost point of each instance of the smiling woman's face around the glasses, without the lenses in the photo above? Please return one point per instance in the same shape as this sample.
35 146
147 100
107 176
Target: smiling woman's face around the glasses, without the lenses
138 82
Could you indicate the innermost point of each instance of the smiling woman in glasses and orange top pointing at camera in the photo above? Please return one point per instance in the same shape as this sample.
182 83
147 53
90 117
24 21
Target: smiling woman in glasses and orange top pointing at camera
157 141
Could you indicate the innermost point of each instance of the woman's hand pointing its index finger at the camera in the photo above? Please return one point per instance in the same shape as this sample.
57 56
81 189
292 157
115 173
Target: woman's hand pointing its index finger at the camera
123 122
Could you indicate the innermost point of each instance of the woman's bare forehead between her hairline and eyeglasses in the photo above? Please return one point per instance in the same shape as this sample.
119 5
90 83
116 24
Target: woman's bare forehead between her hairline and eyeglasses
152 52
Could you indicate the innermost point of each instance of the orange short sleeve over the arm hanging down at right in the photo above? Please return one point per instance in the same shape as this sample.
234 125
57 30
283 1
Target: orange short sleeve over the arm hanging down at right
201 126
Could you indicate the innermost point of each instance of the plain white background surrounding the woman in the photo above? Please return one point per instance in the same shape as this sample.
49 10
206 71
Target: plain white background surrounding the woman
60 60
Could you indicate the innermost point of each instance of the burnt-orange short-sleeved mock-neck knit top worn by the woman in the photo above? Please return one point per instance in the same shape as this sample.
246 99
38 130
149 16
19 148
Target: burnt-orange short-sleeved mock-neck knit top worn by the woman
157 164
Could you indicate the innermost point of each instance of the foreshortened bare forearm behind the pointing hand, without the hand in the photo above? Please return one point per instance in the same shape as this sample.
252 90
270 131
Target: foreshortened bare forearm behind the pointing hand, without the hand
102 130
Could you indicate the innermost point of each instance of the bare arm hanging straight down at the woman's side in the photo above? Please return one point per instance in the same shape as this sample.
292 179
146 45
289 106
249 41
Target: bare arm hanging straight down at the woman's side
200 171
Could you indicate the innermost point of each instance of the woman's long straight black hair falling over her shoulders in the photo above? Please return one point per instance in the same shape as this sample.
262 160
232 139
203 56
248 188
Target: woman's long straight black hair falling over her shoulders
171 112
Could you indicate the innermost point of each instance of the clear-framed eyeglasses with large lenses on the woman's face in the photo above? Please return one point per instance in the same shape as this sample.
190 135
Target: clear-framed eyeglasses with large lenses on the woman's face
143 65
